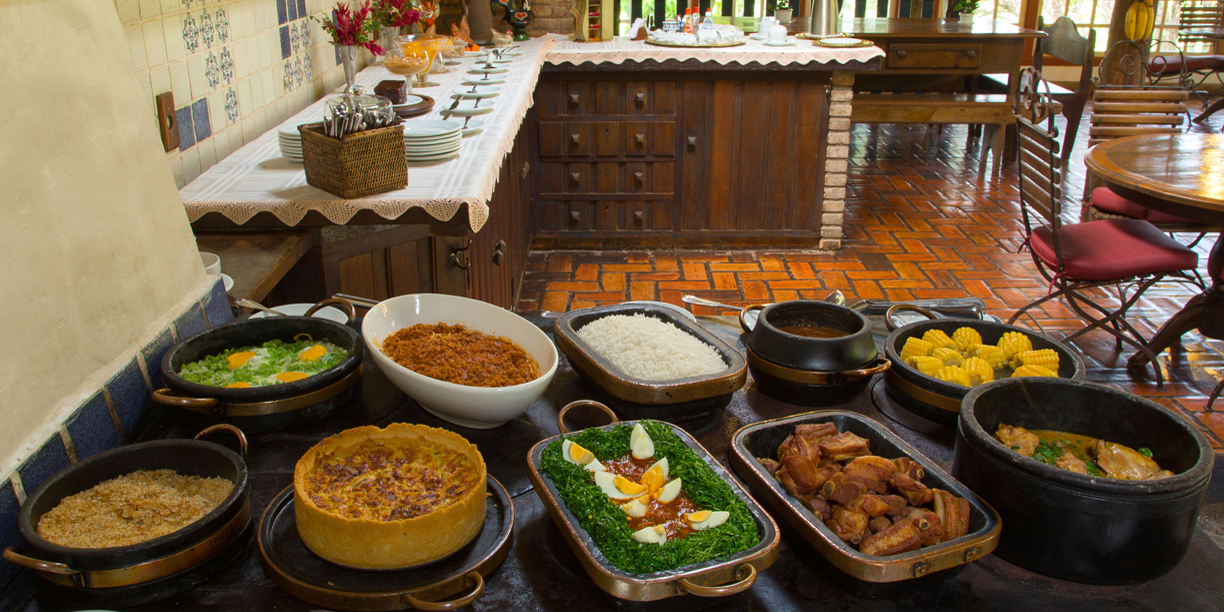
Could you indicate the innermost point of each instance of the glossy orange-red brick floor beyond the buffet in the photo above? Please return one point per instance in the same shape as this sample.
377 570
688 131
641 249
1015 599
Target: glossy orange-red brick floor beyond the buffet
922 225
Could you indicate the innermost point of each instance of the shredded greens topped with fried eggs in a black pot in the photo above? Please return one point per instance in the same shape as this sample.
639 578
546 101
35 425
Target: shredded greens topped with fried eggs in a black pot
275 363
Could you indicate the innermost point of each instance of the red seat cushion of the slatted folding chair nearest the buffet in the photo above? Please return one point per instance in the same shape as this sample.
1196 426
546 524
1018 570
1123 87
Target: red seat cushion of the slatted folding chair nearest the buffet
1113 249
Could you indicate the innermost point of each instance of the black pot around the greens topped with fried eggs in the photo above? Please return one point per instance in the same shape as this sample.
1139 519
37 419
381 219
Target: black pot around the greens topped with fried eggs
261 408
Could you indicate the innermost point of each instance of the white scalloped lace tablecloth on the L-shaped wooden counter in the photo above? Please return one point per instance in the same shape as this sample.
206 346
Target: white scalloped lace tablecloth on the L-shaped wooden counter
258 179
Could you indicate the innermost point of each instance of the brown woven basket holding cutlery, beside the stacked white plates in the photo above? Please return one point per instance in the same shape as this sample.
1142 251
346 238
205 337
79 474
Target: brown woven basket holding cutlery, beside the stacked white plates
357 165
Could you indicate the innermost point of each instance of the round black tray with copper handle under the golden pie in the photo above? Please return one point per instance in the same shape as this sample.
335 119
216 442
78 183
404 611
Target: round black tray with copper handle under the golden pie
308 577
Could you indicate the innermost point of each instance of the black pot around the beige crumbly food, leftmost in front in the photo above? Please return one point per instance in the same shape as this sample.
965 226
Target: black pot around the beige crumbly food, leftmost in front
127 569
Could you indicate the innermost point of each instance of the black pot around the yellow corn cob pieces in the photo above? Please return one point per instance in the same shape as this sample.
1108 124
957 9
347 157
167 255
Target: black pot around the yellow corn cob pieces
941 401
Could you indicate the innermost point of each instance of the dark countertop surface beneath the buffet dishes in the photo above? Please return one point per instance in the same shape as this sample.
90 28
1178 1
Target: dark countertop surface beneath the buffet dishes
543 573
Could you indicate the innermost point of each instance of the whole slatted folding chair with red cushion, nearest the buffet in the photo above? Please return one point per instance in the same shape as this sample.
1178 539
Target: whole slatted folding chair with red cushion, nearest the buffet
1079 259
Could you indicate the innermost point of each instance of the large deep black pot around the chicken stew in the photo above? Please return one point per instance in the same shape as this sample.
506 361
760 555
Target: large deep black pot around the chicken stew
1074 527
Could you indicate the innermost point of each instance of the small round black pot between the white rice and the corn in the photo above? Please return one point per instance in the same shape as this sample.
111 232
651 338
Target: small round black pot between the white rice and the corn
853 352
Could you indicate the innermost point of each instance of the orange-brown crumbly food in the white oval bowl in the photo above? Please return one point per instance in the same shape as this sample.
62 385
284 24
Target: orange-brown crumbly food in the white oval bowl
458 356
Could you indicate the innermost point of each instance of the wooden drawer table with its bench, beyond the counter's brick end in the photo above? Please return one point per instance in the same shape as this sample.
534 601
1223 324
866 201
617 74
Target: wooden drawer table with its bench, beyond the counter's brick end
930 73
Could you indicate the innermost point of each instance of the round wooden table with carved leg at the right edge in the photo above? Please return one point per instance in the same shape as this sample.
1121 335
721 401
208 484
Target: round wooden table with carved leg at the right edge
1184 176
